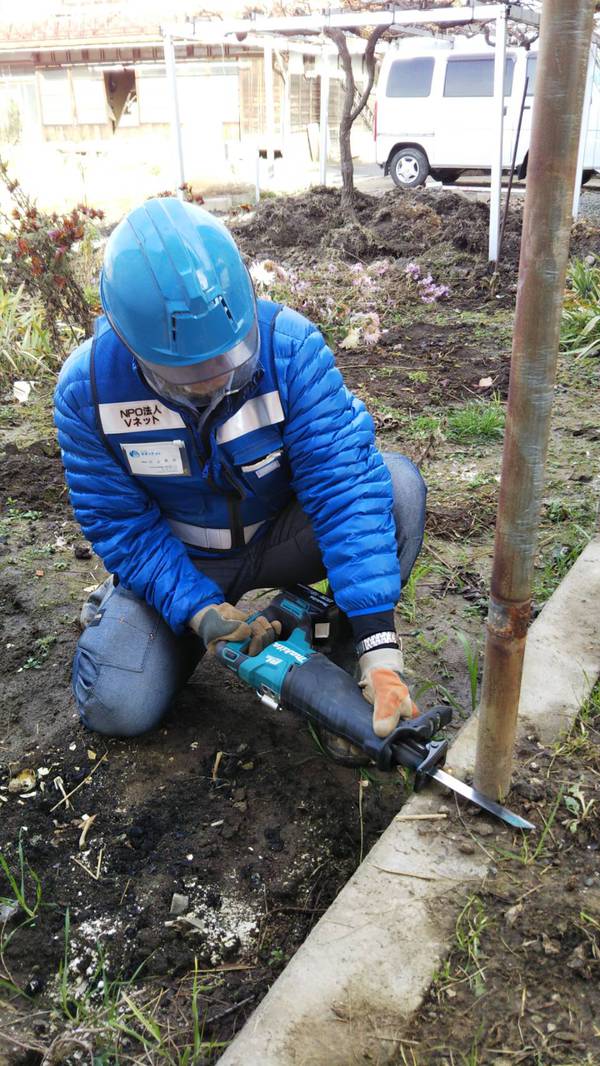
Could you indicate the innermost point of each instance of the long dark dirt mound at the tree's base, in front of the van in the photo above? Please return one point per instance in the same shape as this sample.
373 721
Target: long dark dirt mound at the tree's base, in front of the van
400 224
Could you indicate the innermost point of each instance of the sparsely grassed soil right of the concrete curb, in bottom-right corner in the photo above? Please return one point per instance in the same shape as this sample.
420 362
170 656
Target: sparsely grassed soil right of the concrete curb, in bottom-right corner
523 981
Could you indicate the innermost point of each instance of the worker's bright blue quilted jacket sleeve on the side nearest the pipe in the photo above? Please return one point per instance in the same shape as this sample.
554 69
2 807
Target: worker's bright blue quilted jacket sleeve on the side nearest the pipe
339 477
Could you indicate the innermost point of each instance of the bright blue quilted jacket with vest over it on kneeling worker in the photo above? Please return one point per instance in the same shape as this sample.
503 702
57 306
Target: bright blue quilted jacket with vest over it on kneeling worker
152 493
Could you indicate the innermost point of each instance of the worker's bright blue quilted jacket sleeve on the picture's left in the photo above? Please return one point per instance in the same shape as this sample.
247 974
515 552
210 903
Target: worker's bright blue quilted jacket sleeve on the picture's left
123 524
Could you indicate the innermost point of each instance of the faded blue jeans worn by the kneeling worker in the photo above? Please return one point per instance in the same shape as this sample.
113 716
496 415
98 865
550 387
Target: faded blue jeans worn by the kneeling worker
129 665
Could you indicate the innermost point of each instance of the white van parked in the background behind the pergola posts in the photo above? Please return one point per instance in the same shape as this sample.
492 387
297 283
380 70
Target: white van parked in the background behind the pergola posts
435 114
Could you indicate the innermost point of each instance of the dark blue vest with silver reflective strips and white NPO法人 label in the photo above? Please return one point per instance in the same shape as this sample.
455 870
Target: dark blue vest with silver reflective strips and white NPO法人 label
217 489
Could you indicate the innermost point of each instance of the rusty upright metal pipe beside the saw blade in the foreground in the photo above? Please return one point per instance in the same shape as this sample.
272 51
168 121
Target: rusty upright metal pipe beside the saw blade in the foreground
565 39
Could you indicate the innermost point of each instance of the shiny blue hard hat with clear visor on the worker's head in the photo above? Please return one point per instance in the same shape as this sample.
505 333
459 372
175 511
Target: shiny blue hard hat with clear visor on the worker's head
175 289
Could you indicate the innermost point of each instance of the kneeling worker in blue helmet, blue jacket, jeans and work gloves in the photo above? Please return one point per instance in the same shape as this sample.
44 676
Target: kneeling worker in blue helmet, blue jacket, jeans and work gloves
212 447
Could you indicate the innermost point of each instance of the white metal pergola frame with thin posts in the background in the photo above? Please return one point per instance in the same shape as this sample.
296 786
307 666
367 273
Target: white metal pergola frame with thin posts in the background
245 30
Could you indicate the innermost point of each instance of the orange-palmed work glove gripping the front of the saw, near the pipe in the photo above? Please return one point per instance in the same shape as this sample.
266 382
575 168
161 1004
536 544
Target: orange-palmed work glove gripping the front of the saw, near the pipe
382 684
